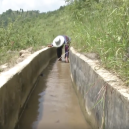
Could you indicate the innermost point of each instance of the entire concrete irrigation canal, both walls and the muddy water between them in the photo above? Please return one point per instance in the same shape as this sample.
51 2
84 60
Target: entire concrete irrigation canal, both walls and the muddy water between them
43 93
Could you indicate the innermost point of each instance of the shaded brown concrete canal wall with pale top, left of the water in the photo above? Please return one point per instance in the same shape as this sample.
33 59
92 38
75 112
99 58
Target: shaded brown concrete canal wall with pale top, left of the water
17 83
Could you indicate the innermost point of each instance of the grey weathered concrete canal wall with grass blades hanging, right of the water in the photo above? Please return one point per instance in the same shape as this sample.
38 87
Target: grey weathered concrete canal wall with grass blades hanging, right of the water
103 97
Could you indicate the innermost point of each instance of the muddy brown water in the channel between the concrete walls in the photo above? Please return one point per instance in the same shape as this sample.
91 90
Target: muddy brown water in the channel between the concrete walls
54 104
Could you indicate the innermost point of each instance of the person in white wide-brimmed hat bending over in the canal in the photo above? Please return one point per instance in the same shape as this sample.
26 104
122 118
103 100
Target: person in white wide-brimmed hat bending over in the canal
59 42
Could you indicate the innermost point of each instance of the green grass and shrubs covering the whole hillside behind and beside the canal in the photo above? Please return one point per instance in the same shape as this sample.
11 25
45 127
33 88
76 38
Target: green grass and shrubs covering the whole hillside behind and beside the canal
99 26
